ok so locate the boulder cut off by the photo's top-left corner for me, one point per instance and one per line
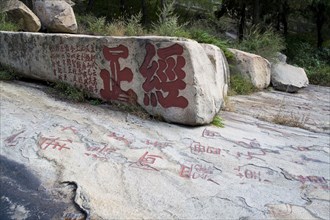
(19, 10)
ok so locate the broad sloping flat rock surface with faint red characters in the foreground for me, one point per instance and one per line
(96, 163)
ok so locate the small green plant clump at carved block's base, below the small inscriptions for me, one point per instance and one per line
(69, 92)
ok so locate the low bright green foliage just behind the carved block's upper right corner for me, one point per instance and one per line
(204, 37)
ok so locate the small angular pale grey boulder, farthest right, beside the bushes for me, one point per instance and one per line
(288, 78)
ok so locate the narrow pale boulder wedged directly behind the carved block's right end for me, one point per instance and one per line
(221, 68)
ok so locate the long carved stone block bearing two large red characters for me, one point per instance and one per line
(166, 76)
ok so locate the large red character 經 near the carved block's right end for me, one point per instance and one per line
(164, 77)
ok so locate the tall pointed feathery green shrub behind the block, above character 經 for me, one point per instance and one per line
(168, 23)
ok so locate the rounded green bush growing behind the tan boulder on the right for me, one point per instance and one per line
(265, 43)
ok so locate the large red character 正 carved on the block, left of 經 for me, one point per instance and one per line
(111, 81)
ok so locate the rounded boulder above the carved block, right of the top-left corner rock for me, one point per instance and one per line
(56, 16)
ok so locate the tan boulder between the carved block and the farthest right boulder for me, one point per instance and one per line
(253, 67)
